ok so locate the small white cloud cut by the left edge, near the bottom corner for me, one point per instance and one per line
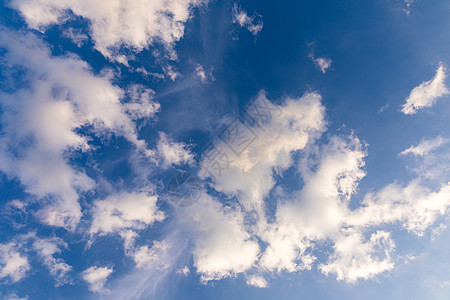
(13, 264)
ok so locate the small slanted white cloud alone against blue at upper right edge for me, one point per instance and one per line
(427, 93)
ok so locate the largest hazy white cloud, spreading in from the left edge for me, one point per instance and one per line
(39, 121)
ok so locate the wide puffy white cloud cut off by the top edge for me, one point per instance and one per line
(116, 23)
